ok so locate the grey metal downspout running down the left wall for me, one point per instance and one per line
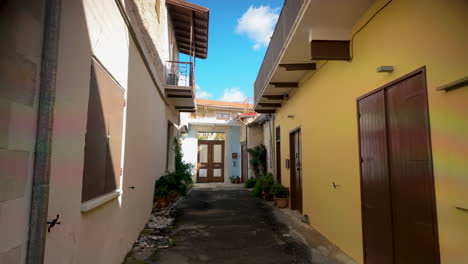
(45, 121)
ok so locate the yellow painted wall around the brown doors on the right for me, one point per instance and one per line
(407, 34)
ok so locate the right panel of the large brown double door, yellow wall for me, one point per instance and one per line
(411, 173)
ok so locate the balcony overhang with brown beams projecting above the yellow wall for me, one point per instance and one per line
(322, 30)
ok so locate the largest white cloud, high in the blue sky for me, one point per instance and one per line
(259, 24)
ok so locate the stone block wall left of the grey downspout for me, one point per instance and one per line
(21, 27)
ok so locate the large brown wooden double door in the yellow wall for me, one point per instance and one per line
(397, 186)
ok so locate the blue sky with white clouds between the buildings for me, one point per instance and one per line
(238, 38)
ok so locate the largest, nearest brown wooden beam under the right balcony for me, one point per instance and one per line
(330, 49)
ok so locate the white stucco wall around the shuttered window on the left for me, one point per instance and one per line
(105, 234)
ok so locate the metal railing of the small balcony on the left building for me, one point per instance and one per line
(179, 73)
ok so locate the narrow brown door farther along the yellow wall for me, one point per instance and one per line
(296, 170)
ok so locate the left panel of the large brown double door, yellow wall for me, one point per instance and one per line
(375, 188)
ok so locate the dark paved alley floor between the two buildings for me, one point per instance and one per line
(216, 224)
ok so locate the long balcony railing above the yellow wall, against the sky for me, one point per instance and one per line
(288, 16)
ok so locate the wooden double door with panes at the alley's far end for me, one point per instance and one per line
(210, 161)
